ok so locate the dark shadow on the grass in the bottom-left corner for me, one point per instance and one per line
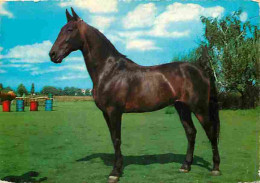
(27, 177)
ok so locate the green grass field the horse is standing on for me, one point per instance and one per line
(72, 145)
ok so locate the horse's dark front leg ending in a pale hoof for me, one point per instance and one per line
(113, 119)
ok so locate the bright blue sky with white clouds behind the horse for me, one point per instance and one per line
(148, 32)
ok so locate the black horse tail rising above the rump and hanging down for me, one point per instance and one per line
(213, 106)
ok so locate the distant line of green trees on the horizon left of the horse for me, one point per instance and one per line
(69, 91)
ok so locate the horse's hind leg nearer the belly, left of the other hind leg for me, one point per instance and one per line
(186, 120)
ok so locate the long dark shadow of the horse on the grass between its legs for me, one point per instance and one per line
(148, 159)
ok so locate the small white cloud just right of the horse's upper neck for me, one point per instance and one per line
(102, 22)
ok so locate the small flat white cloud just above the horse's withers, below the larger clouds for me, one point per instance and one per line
(141, 45)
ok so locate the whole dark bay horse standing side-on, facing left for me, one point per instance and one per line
(122, 86)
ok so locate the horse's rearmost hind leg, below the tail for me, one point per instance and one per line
(209, 125)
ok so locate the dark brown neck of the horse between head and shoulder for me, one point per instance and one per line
(96, 54)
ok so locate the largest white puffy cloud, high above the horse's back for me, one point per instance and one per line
(163, 25)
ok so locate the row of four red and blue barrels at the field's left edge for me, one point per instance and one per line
(20, 105)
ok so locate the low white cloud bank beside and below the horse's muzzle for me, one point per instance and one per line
(30, 57)
